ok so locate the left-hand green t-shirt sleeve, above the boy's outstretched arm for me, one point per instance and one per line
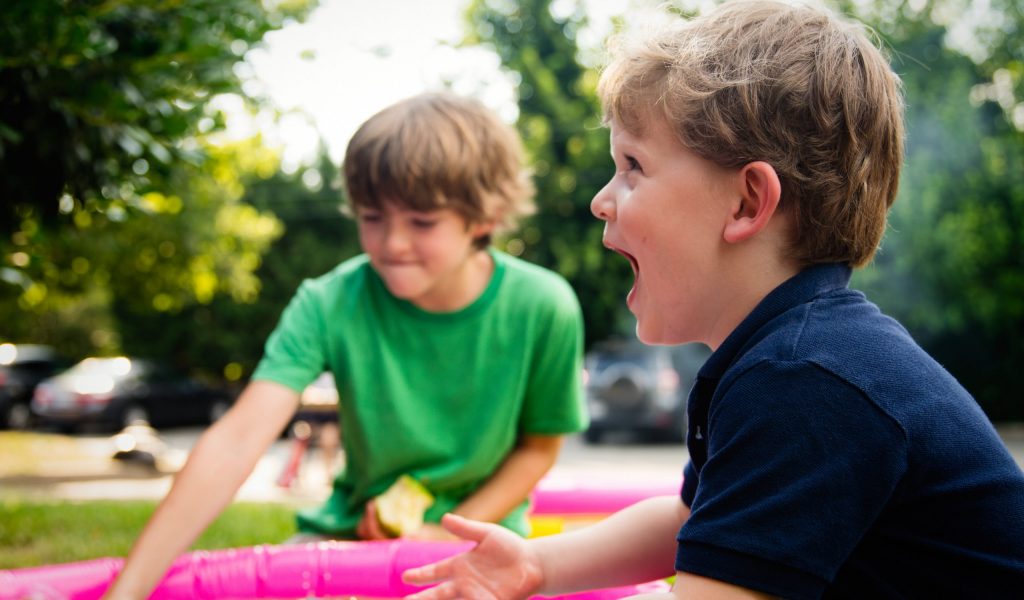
(294, 355)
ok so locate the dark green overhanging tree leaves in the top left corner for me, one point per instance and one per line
(97, 99)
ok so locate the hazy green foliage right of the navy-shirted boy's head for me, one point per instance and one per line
(952, 266)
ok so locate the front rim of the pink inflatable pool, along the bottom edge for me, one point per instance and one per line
(310, 571)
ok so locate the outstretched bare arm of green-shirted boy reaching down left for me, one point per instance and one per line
(219, 465)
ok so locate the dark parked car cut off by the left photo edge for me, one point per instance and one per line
(22, 368)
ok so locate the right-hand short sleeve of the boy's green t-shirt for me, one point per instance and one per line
(554, 402)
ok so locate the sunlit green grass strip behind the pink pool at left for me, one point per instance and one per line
(37, 533)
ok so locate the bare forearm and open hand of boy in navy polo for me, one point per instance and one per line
(635, 545)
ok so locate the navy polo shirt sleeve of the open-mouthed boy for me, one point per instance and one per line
(800, 463)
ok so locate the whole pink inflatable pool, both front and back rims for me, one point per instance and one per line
(329, 569)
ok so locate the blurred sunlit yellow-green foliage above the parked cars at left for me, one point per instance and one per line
(150, 264)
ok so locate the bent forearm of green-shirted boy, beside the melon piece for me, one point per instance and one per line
(515, 481)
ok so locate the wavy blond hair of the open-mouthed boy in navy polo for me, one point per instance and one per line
(793, 87)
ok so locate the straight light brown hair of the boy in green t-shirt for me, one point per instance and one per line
(438, 151)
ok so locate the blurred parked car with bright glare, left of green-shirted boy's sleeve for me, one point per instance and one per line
(121, 392)
